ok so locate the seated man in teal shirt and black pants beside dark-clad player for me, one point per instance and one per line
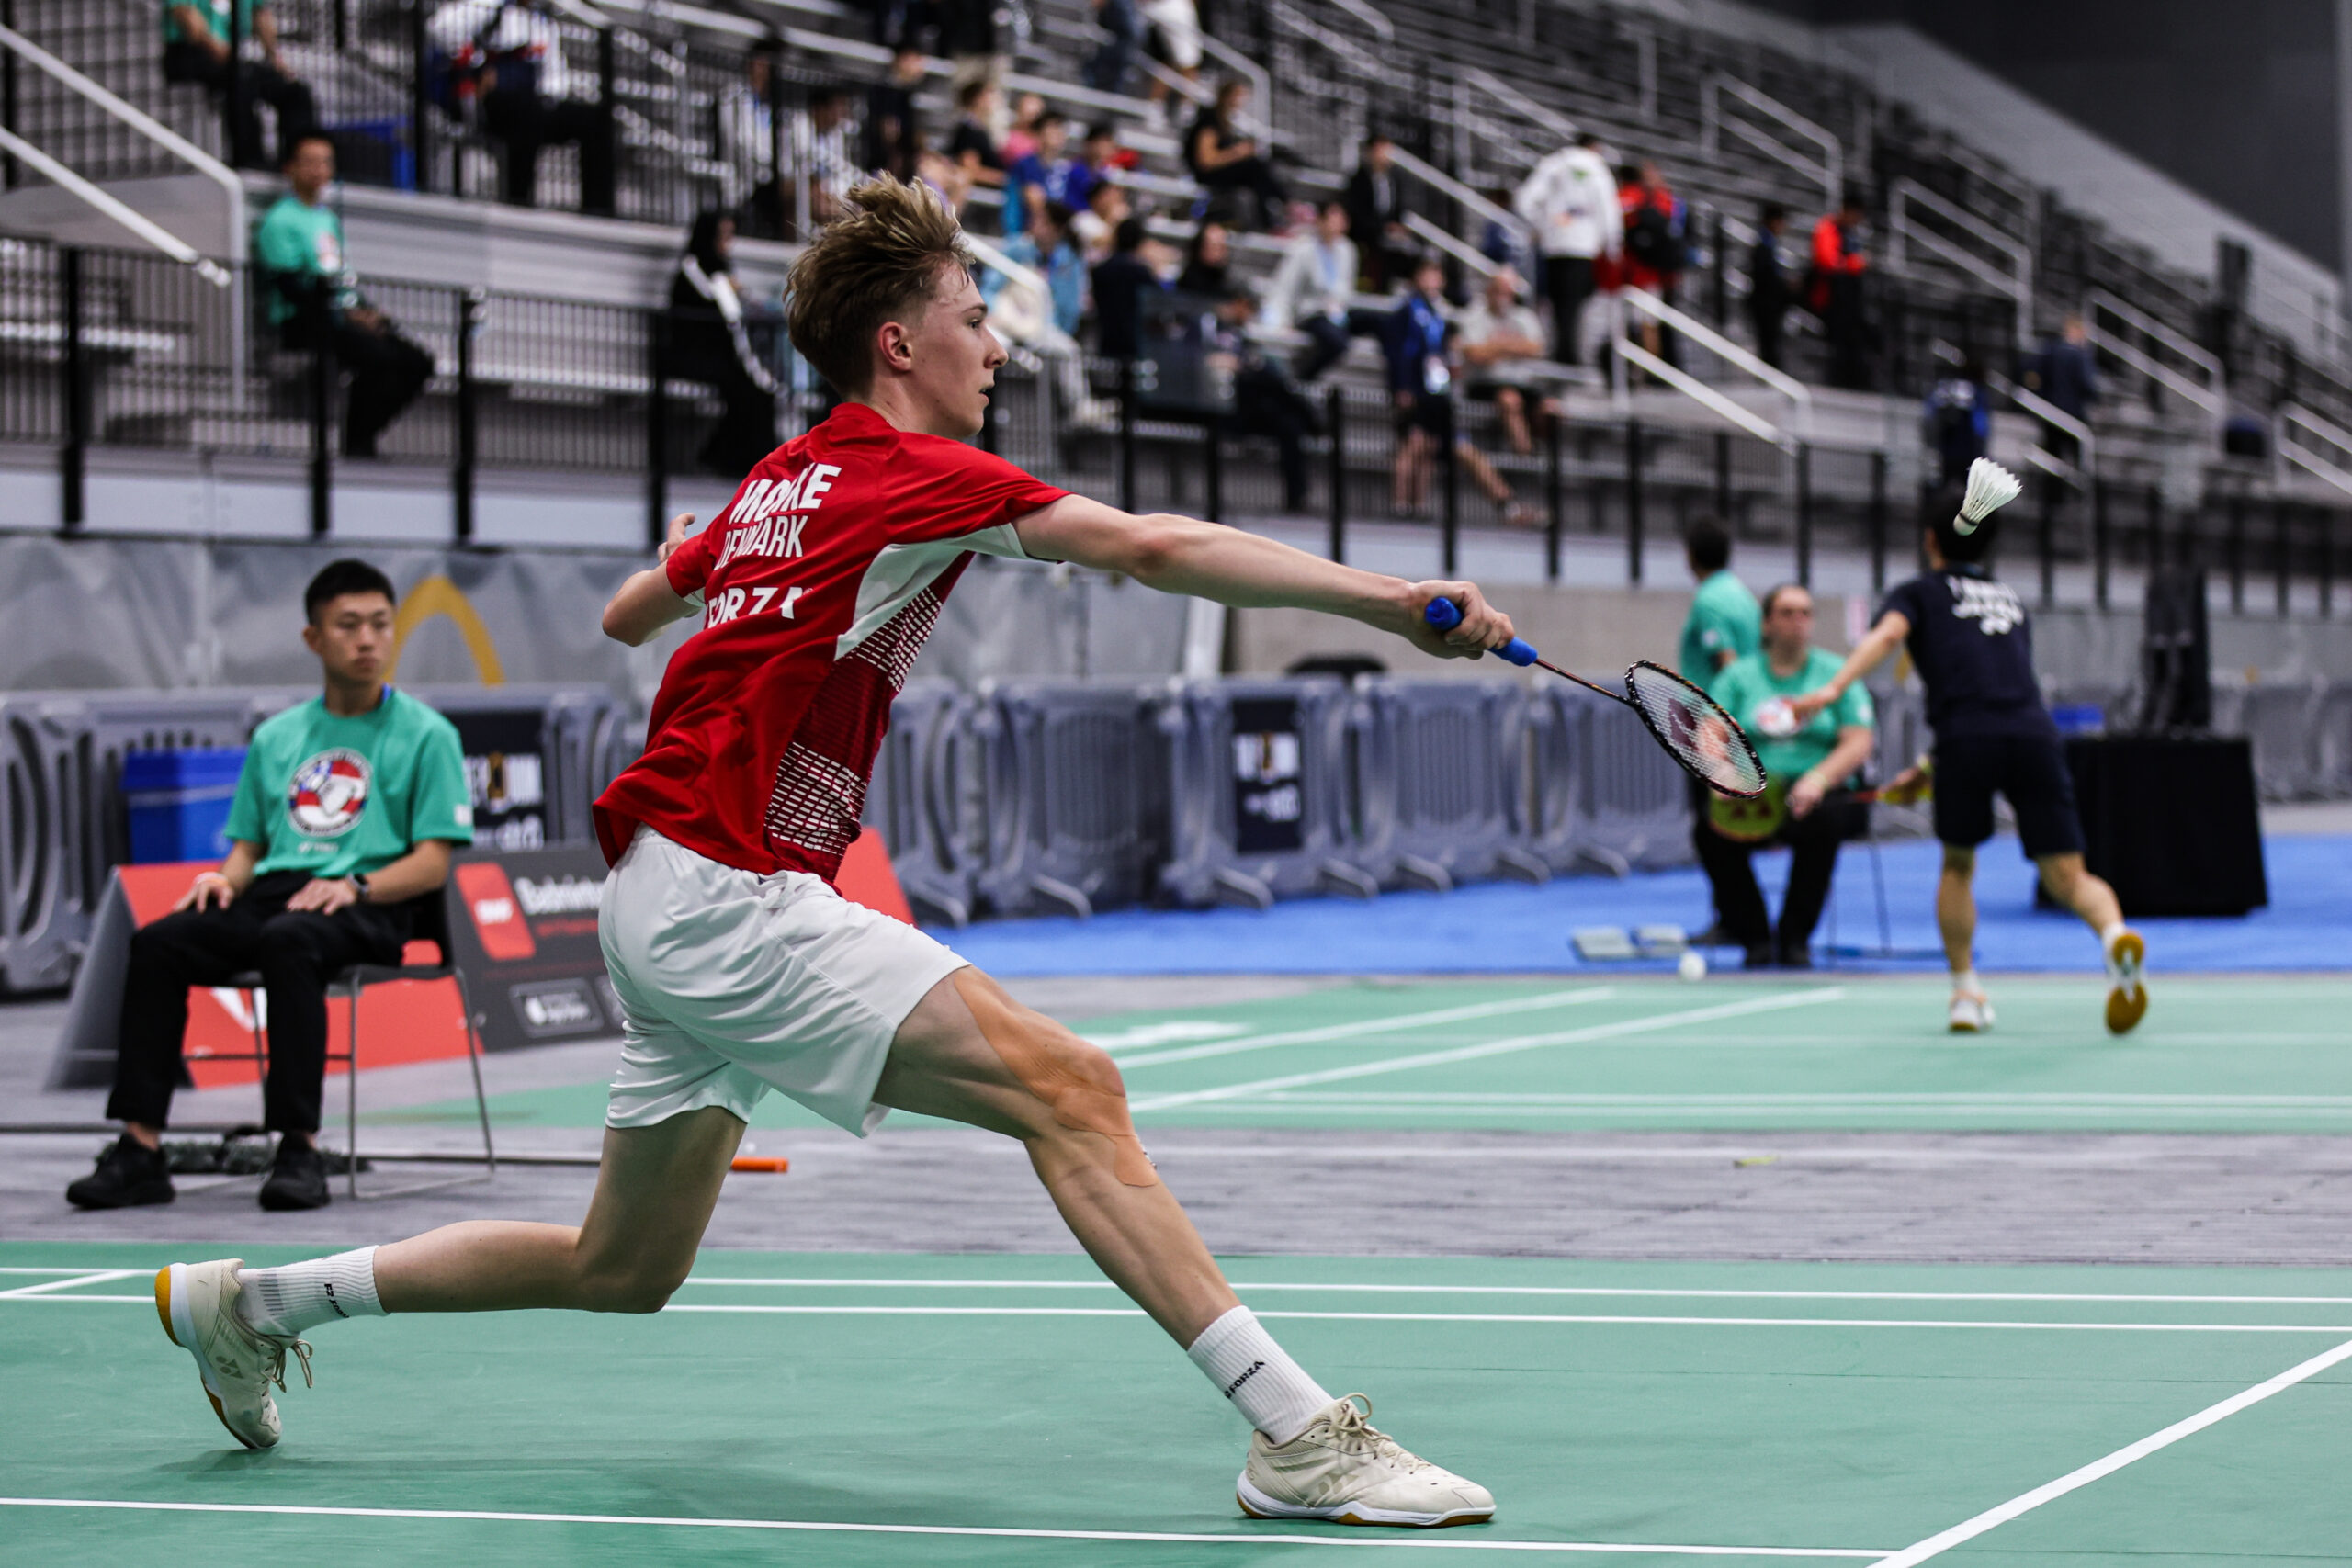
(1808, 805)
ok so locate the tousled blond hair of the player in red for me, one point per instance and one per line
(888, 257)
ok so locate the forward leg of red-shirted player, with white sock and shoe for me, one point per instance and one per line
(973, 1054)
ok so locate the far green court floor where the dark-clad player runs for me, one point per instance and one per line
(1824, 1052)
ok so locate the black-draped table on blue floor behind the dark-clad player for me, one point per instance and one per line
(2172, 822)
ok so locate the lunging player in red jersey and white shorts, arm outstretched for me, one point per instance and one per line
(742, 972)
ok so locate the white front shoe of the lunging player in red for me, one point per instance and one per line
(1347, 1470)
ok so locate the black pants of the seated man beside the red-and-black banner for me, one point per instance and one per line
(295, 958)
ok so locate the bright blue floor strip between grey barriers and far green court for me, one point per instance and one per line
(1509, 927)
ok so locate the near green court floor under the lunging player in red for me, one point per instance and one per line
(987, 1409)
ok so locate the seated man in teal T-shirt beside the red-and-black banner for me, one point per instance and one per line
(347, 810)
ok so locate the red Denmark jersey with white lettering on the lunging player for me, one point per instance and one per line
(820, 584)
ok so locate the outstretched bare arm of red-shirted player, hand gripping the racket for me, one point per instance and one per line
(1234, 568)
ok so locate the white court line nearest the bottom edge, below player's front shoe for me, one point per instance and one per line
(1417, 1541)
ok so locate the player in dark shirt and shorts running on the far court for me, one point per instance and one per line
(1972, 645)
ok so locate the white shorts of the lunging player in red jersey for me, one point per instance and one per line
(737, 984)
